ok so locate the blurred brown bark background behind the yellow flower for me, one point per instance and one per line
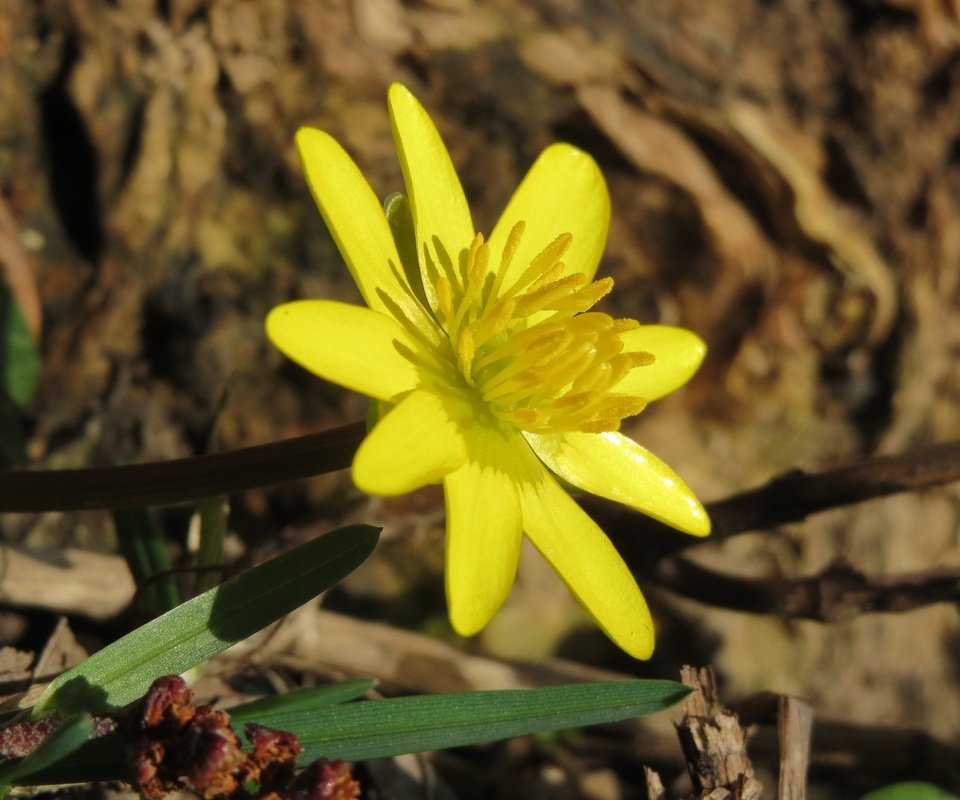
(785, 181)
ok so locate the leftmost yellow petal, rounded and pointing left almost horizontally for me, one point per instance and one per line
(342, 343)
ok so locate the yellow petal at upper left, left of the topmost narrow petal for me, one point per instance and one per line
(357, 222)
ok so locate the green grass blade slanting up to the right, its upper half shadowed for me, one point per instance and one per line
(207, 624)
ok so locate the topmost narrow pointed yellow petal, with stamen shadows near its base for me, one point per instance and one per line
(441, 215)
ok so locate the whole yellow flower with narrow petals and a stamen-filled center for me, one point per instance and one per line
(497, 377)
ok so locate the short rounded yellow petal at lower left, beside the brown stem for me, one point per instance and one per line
(415, 444)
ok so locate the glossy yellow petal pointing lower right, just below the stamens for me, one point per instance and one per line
(611, 465)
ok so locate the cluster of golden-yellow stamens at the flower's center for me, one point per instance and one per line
(533, 351)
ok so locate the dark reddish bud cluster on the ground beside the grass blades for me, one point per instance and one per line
(182, 745)
